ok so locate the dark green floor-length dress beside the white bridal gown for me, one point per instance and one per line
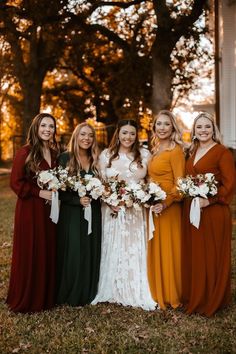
(78, 254)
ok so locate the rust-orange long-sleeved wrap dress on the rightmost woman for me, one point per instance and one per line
(206, 252)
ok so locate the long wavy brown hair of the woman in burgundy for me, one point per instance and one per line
(35, 156)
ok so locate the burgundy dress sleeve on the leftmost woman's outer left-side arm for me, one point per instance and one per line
(22, 185)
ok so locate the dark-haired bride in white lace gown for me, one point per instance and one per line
(123, 270)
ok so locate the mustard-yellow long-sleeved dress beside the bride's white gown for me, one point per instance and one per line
(164, 250)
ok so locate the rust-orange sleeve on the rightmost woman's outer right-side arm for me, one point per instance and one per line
(227, 179)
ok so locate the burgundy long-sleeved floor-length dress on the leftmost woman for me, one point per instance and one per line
(32, 279)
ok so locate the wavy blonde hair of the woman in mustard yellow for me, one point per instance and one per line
(175, 137)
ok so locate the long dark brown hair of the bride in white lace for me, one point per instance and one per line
(114, 146)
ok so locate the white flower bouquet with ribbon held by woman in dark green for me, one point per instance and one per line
(86, 186)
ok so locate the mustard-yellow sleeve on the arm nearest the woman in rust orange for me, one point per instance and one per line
(177, 162)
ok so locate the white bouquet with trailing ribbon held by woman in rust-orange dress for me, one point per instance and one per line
(199, 186)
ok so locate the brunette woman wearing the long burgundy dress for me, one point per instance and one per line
(32, 279)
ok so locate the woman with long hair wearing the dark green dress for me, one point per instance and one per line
(78, 254)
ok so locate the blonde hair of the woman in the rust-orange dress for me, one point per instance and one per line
(216, 133)
